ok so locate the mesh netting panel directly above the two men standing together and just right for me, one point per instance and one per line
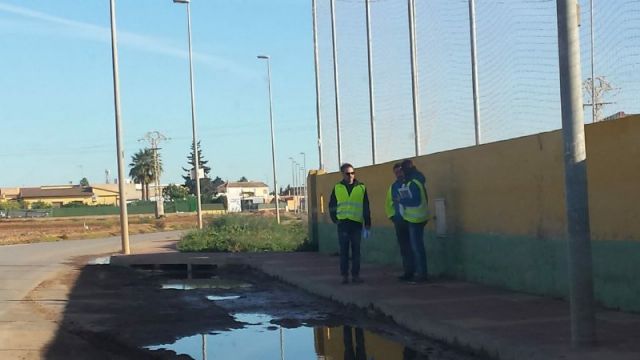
(444, 61)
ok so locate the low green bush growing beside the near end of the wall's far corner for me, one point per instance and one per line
(237, 233)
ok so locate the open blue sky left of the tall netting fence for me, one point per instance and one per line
(56, 103)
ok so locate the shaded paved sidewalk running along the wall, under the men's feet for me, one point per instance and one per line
(502, 324)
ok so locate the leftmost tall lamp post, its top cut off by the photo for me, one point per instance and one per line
(124, 219)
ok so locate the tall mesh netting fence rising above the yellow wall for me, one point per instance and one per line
(518, 77)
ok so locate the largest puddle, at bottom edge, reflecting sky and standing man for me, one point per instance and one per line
(260, 339)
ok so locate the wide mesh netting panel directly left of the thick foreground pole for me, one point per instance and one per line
(518, 68)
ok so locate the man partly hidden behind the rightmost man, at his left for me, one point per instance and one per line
(394, 212)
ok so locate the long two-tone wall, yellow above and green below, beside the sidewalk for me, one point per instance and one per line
(506, 212)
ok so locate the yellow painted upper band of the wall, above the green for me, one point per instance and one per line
(516, 187)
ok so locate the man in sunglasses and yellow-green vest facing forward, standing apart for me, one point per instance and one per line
(349, 209)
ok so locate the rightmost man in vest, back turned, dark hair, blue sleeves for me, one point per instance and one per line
(413, 199)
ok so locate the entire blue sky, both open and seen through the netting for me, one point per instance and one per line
(56, 103)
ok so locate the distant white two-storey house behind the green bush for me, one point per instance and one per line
(240, 195)
